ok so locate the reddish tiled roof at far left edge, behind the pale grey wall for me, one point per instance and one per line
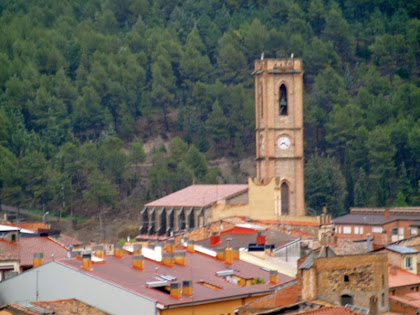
(25, 248)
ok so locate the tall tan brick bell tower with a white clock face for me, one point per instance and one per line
(279, 131)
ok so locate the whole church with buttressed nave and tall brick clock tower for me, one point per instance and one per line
(277, 192)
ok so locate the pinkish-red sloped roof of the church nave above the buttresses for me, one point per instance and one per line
(199, 196)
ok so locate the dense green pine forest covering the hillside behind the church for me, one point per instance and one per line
(85, 83)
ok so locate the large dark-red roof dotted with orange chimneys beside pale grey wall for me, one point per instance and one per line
(199, 268)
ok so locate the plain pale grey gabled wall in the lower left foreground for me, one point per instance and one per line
(54, 281)
